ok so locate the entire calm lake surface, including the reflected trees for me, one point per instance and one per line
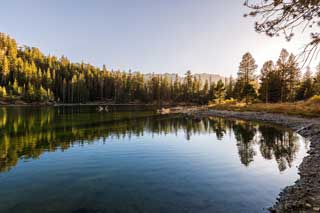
(75, 159)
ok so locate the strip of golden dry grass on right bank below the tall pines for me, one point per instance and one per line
(310, 108)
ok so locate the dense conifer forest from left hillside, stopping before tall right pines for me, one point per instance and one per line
(27, 73)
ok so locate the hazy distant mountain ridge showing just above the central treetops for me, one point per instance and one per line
(211, 78)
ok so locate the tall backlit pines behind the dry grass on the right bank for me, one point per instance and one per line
(280, 81)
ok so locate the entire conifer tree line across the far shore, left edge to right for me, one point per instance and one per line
(26, 73)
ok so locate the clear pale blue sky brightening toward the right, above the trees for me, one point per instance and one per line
(145, 35)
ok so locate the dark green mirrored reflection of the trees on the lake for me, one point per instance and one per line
(27, 133)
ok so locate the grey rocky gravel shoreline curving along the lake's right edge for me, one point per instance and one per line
(304, 195)
